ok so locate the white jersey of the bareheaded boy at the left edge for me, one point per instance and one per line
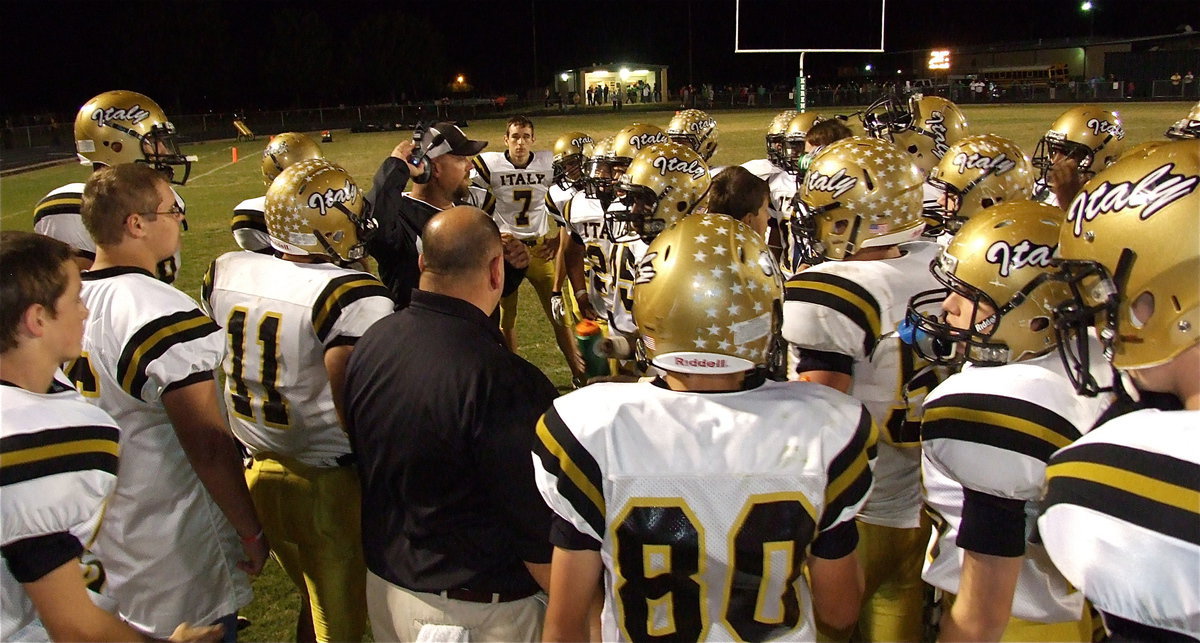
(59, 467)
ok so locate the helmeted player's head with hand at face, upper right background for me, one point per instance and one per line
(1082, 142)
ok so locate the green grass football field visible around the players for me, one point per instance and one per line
(218, 185)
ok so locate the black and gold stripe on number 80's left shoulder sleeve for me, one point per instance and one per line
(578, 473)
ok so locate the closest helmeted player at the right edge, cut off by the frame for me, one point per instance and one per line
(1120, 513)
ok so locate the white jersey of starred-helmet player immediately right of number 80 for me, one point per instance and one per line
(854, 309)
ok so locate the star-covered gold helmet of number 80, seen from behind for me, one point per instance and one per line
(709, 298)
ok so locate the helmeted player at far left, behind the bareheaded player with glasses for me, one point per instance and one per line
(111, 129)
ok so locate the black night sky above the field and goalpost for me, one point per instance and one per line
(199, 56)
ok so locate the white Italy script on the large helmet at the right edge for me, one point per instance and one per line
(1153, 193)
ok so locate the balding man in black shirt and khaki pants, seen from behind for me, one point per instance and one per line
(442, 419)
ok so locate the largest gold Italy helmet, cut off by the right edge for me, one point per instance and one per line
(1130, 255)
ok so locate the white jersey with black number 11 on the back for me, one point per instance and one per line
(280, 319)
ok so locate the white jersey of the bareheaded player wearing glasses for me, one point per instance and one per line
(170, 554)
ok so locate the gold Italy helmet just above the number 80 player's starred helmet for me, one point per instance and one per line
(665, 183)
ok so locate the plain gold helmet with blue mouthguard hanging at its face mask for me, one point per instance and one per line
(1001, 260)
